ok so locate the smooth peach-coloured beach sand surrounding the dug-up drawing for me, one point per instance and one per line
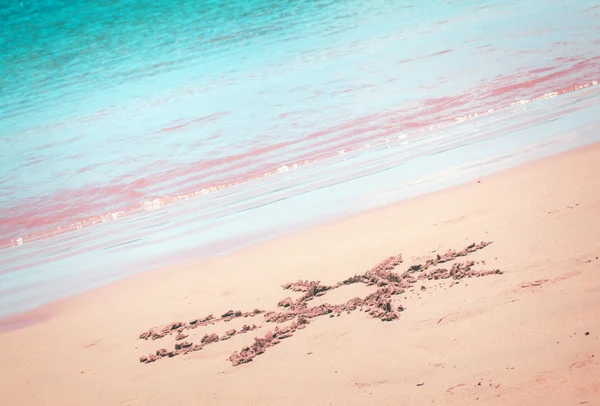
(529, 335)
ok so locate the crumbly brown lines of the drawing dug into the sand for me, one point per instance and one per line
(377, 304)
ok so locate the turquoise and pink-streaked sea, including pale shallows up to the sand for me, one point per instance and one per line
(139, 133)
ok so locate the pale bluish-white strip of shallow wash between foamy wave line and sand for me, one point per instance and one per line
(208, 227)
